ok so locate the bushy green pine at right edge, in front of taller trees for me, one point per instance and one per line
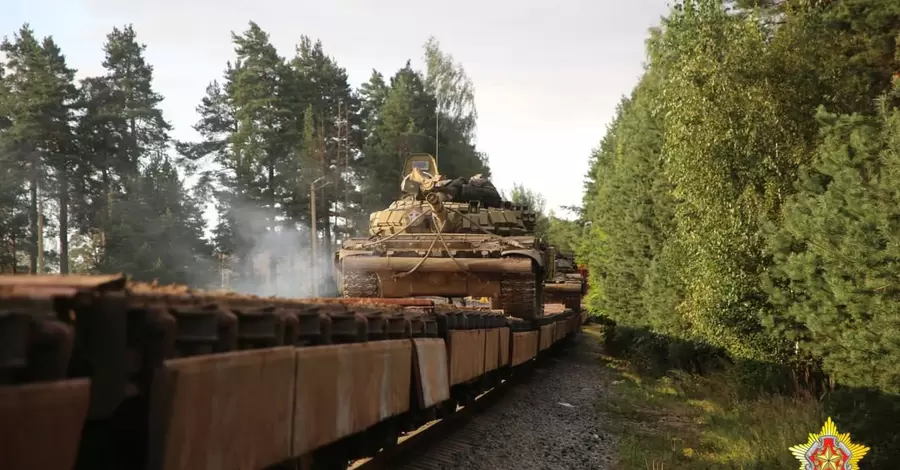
(837, 253)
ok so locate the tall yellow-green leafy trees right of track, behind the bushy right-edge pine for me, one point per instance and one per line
(706, 151)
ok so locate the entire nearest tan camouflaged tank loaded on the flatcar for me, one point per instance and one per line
(447, 238)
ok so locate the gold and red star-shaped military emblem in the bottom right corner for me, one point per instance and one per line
(829, 450)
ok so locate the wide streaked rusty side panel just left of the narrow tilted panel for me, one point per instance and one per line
(345, 389)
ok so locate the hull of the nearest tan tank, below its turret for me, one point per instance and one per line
(506, 269)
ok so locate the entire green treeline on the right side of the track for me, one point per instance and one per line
(746, 195)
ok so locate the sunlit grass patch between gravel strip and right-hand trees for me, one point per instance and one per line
(684, 421)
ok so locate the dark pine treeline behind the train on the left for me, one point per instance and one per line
(92, 181)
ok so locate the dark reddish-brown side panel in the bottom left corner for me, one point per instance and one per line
(40, 424)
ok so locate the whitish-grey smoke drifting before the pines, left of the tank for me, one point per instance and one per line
(274, 257)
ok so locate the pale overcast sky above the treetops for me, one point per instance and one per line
(548, 75)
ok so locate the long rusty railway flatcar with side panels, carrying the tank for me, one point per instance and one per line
(100, 373)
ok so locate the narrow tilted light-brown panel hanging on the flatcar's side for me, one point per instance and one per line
(431, 373)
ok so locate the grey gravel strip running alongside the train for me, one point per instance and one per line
(548, 422)
